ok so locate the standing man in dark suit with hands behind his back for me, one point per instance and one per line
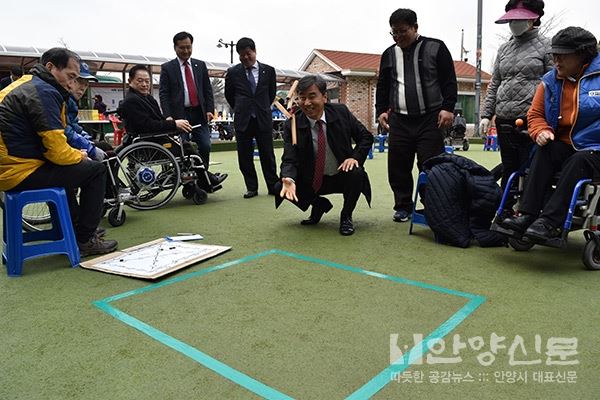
(250, 90)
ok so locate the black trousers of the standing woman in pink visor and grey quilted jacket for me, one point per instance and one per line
(515, 147)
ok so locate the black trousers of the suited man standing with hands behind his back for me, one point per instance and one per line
(245, 149)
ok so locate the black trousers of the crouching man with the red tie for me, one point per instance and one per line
(349, 184)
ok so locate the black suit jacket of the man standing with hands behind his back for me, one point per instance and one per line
(239, 96)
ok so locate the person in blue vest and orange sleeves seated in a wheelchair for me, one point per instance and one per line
(564, 121)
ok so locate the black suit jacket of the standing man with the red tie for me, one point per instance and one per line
(171, 88)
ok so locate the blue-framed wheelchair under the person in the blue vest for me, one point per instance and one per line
(583, 213)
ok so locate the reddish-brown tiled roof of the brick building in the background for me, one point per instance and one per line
(346, 60)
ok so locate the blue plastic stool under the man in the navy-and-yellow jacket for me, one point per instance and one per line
(60, 239)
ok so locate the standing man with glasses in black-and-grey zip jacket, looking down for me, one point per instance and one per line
(416, 94)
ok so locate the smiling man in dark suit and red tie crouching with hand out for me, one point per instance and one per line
(323, 161)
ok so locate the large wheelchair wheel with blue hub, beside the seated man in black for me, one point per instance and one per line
(153, 173)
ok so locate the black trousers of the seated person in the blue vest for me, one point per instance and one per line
(548, 160)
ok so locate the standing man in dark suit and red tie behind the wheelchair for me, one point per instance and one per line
(185, 93)
